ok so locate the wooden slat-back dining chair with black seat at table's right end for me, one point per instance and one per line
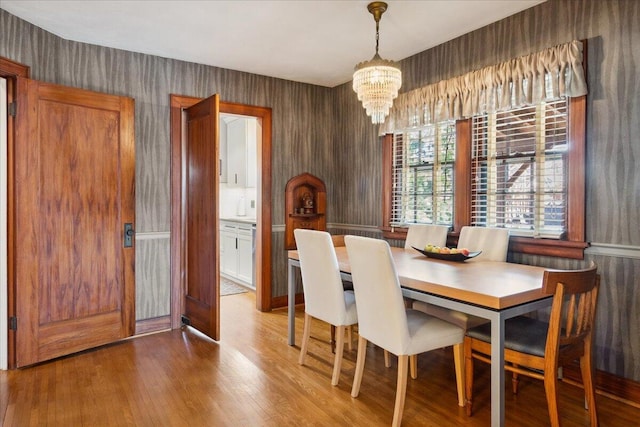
(538, 348)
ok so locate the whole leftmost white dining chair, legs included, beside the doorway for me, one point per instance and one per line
(324, 296)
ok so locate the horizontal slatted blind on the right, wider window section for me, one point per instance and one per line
(519, 170)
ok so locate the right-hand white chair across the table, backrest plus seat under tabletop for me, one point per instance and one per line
(494, 243)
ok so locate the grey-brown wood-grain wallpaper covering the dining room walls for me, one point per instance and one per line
(326, 132)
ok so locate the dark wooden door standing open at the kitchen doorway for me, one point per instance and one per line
(201, 219)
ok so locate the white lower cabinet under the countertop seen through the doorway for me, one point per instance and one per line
(236, 251)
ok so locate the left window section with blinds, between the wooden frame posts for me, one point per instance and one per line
(423, 162)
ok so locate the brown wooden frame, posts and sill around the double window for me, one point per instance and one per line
(573, 244)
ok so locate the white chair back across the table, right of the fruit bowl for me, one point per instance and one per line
(493, 242)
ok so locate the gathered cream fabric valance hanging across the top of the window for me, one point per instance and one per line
(527, 80)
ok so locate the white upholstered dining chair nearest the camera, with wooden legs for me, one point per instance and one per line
(384, 321)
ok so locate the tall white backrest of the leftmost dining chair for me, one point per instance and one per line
(322, 286)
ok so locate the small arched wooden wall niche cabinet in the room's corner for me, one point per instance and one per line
(305, 206)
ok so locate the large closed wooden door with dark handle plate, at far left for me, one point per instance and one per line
(73, 191)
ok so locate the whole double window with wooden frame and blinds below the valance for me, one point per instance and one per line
(521, 169)
